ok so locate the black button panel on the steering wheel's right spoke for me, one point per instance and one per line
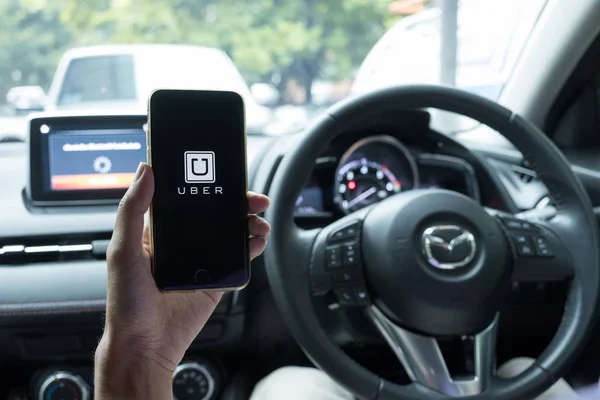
(539, 253)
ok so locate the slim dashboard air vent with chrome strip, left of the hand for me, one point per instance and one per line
(33, 250)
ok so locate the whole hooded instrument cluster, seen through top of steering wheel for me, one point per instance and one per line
(375, 168)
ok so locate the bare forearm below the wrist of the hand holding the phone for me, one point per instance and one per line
(122, 372)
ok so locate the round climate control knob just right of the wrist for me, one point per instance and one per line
(192, 381)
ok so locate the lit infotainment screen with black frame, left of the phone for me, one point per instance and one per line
(79, 160)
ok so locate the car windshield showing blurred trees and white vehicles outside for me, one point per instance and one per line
(289, 60)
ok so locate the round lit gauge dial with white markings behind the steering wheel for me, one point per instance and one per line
(363, 182)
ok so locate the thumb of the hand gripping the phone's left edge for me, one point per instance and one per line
(126, 242)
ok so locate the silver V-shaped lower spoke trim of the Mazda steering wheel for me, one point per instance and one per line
(424, 363)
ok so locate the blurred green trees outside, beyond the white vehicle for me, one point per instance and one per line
(269, 40)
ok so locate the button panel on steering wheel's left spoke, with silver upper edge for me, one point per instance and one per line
(336, 263)
